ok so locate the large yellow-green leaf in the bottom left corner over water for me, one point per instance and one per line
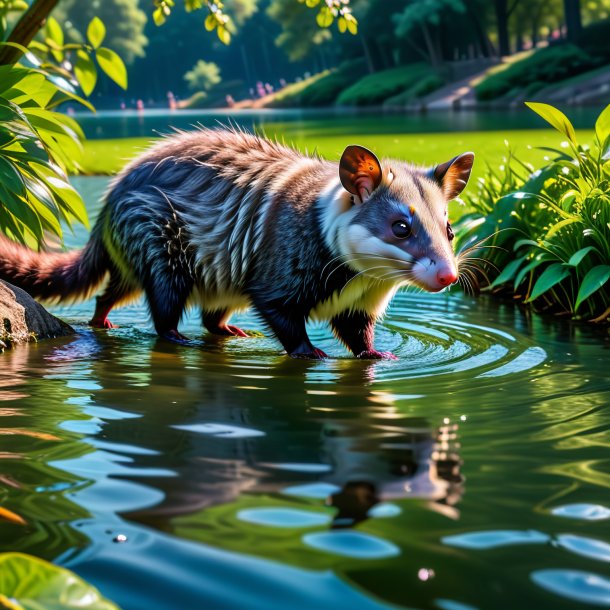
(34, 583)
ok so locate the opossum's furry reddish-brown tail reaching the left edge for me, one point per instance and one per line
(49, 276)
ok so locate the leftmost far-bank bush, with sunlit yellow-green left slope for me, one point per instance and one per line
(321, 89)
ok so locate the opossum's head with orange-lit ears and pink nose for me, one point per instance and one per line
(397, 228)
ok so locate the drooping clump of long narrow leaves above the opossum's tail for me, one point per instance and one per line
(37, 148)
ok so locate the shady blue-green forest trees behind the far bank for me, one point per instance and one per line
(279, 41)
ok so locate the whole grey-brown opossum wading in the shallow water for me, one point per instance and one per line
(224, 219)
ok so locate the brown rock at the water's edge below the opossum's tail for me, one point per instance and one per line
(22, 319)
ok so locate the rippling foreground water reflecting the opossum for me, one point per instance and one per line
(472, 473)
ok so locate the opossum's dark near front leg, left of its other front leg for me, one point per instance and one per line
(289, 328)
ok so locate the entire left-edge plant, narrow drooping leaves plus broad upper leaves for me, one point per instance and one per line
(39, 146)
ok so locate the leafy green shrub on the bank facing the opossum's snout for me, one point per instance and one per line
(546, 233)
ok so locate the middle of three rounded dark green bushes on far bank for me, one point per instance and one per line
(376, 88)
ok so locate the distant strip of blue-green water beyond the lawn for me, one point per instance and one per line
(131, 123)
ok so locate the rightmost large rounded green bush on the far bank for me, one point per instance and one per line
(543, 67)
